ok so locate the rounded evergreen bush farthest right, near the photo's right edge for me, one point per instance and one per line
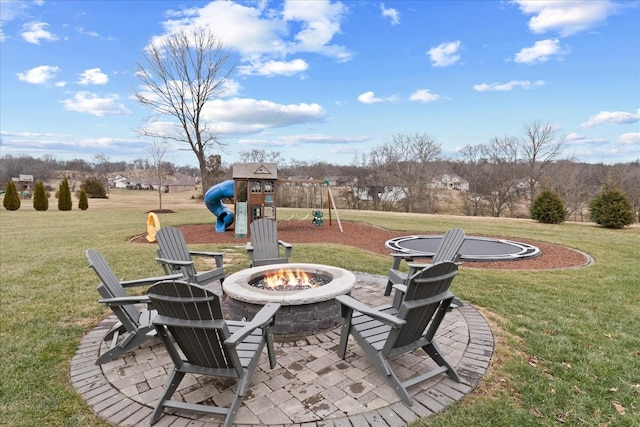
(611, 208)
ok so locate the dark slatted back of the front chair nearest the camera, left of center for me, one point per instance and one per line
(196, 324)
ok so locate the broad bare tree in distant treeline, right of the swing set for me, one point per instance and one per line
(407, 158)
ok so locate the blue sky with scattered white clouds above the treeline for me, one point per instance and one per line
(326, 80)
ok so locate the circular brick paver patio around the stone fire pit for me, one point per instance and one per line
(310, 386)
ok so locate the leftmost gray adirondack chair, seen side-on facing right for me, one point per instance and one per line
(134, 324)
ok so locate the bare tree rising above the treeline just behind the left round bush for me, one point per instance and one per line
(540, 146)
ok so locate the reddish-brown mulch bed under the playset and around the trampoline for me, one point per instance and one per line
(372, 238)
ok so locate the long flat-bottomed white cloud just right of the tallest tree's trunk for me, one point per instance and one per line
(245, 116)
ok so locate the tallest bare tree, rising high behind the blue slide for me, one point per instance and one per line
(180, 74)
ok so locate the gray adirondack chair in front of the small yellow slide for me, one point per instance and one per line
(175, 257)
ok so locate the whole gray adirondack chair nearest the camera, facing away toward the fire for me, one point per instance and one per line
(200, 341)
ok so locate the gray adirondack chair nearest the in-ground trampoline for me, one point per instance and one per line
(447, 250)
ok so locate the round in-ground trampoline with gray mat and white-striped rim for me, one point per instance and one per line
(473, 249)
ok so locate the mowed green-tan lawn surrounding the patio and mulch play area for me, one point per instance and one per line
(568, 342)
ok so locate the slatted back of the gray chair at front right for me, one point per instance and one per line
(416, 308)
